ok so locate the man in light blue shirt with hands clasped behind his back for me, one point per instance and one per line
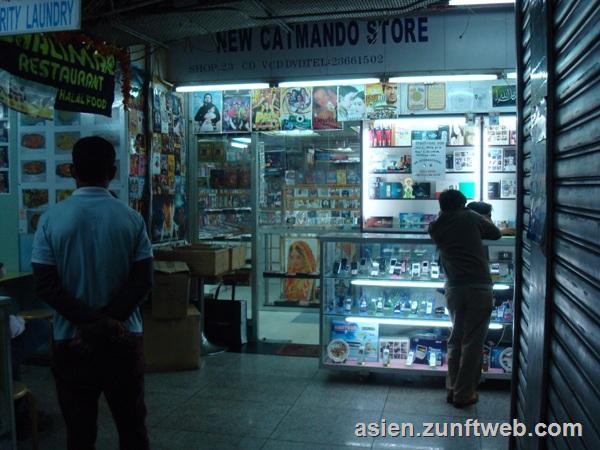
(92, 263)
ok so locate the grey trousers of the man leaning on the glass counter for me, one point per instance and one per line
(470, 309)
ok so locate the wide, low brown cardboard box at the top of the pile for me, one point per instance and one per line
(201, 259)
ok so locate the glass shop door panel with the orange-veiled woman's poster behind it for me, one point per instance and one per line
(308, 182)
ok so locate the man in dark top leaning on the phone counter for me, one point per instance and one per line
(457, 233)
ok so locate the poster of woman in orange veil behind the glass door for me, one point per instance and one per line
(301, 258)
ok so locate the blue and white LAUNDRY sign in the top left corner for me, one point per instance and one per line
(36, 16)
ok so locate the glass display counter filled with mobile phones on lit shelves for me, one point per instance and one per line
(383, 307)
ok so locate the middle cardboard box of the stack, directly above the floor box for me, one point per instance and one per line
(171, 290)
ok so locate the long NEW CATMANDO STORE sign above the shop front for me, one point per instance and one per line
(347, 48)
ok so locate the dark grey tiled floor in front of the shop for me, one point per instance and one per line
(253, 401)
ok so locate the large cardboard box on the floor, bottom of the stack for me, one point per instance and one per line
(171, 345)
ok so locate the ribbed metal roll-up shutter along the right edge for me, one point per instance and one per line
(574, 334)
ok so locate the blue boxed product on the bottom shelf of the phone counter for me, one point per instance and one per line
(355, 335)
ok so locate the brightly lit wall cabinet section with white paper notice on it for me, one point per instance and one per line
(402, 179)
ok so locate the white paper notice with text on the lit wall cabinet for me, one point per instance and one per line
(428, 159)
